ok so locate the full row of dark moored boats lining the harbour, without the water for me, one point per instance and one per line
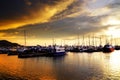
(55, 50)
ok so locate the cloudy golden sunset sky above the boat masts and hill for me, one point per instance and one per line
(44, 20)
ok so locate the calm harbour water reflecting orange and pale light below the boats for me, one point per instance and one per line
(73, 66)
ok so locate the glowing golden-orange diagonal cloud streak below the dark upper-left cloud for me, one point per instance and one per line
(39, 15)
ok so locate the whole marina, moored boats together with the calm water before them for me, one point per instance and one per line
(56, 62)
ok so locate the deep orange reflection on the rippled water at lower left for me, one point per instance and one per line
(30, 68)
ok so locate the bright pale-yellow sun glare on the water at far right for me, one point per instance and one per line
(111, 65)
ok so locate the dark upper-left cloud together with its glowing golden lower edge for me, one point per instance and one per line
(17, 13)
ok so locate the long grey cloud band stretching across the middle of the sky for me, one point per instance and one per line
(62, 28)
